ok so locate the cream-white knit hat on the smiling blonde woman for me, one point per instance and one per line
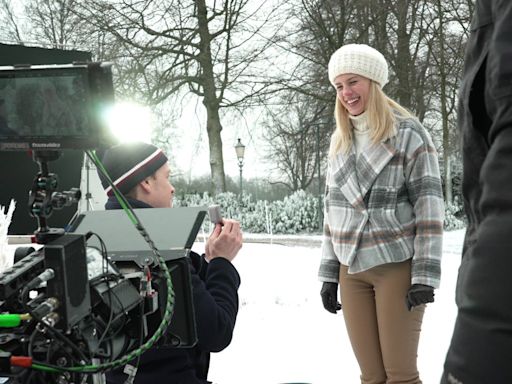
(359, 59)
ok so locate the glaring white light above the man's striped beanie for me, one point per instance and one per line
(129, 121)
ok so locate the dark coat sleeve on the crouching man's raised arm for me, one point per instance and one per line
(215, 294)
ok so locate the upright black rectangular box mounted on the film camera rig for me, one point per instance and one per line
(67, 257)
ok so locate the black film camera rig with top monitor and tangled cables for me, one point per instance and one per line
(69, 310)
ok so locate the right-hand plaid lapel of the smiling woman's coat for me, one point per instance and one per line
(371, 162)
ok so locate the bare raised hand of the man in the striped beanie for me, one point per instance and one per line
(225, 240)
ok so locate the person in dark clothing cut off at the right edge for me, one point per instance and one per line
(481, 346)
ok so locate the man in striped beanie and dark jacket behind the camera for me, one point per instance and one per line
(141, 172)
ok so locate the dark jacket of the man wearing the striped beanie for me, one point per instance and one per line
(214, 290)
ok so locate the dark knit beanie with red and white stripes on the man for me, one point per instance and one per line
(128, 164)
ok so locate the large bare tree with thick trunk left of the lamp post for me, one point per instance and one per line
(211, 49)
